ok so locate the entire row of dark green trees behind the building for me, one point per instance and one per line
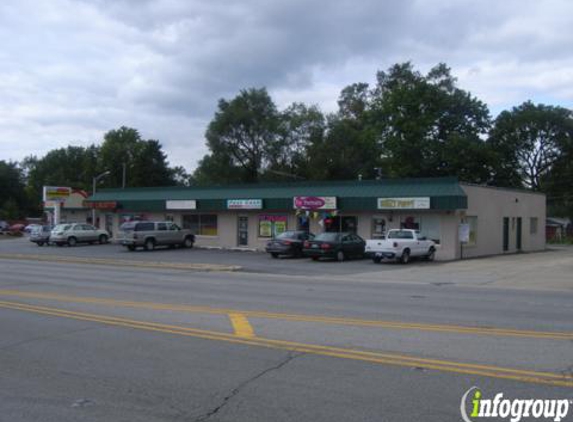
(408, 124)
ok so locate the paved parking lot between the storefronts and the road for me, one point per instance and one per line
(549, 270)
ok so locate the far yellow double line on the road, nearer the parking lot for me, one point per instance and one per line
(397, 325)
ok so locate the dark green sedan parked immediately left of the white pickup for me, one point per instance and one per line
(334, 245)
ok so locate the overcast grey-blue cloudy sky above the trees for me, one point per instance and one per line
(70, 70)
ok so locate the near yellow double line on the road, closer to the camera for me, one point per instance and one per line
(521, 375)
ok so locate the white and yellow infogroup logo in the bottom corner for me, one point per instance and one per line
(474, 407)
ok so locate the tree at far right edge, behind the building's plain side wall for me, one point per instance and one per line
(528, 142)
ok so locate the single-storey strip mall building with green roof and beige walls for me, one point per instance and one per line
(465, 220)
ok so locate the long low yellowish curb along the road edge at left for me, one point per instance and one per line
(125, 263)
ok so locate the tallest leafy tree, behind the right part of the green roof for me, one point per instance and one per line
(425, 124)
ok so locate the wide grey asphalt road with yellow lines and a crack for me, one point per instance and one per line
(97, 343)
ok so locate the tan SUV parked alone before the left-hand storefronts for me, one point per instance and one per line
(149, 234)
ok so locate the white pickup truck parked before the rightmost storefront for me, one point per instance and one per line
(400, 245)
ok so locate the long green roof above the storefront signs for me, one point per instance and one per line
(445, 193)
